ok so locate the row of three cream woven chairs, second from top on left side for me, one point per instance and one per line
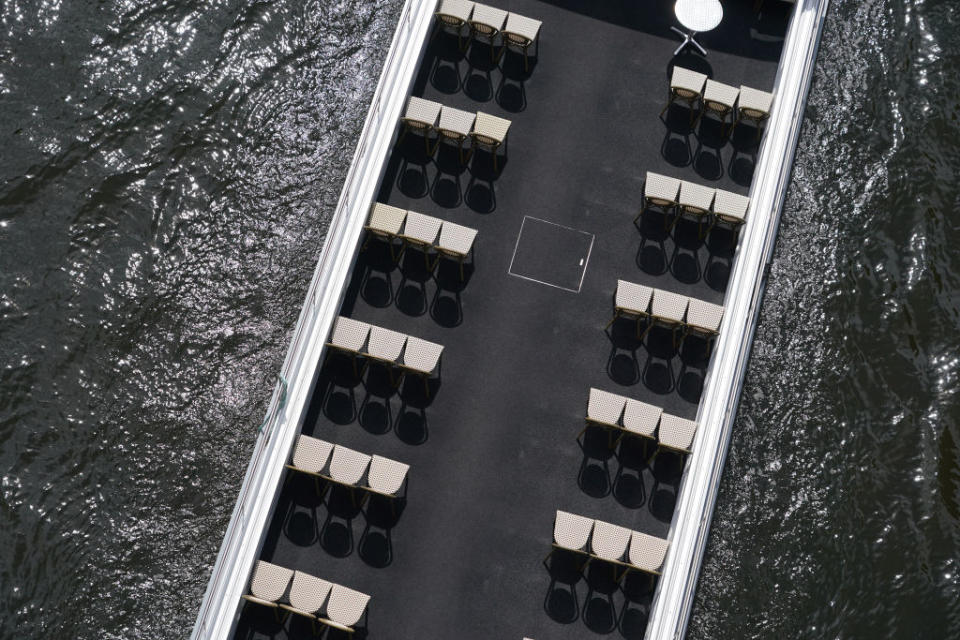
(432, 120)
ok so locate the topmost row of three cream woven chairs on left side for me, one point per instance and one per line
(488, 24)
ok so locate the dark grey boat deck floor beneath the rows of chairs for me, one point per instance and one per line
(493, 450)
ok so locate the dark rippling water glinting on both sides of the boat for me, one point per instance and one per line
(167, 175)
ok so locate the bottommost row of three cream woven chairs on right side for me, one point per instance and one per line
(599, 540)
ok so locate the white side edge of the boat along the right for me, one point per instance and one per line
(670, 611)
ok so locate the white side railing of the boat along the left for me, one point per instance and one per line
(291, 396)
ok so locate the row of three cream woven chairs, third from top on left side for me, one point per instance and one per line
(425, 233)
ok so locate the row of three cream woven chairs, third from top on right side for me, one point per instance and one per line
(674, 311)
